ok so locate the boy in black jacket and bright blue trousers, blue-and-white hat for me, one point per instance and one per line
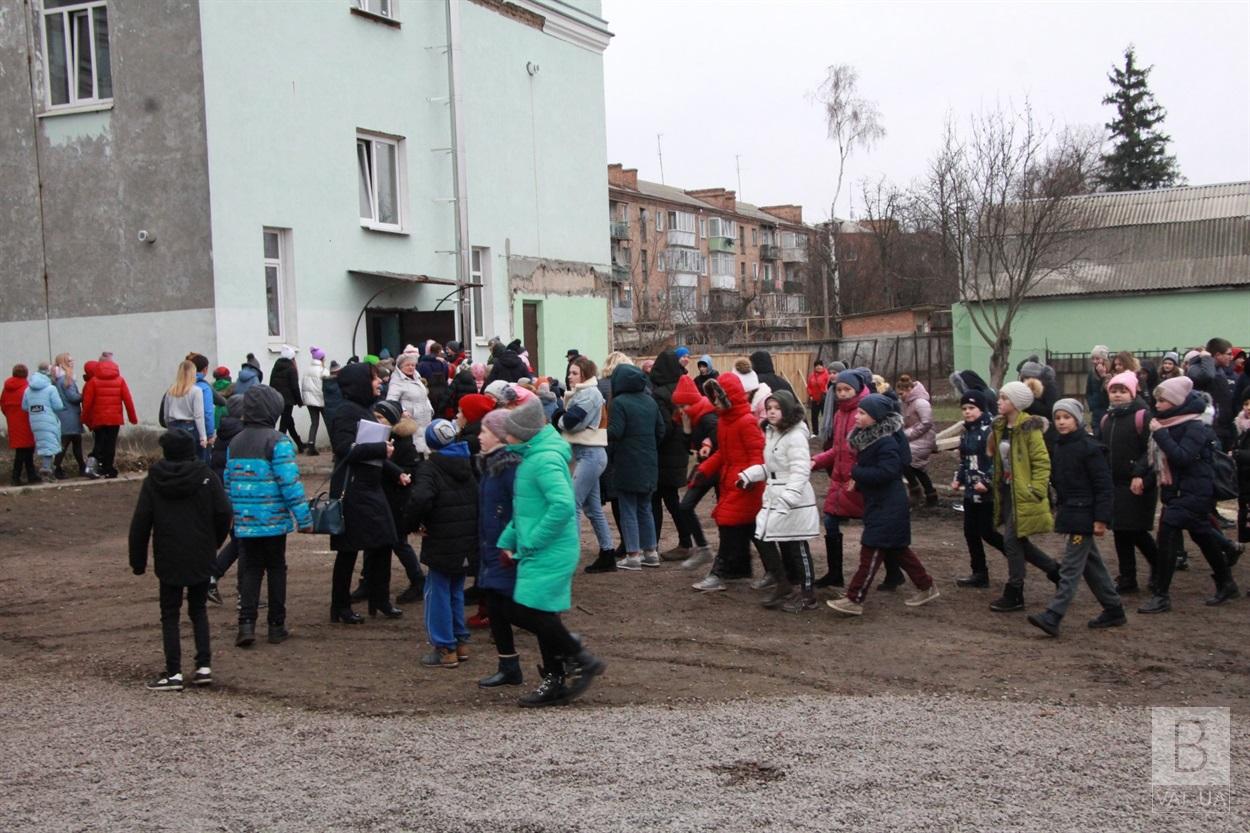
(444, 505)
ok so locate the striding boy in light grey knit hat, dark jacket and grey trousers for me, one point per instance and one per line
(1083, 482)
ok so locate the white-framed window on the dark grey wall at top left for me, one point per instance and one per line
(77, 47)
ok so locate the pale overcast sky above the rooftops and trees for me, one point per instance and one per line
(726, 78)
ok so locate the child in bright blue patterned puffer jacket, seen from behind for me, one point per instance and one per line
(264, 485)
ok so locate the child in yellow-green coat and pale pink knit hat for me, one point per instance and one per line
(1022, 483)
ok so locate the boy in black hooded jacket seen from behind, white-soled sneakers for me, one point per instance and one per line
(184, 511)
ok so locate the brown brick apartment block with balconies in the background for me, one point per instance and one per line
(682, 258)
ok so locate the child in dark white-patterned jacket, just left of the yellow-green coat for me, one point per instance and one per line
(976, 478)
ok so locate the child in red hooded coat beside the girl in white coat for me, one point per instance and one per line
(741, 446)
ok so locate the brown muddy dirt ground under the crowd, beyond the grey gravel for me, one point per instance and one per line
(71, 605)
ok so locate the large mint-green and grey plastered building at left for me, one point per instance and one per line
(353, 174)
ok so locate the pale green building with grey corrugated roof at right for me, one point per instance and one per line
(1163, 270)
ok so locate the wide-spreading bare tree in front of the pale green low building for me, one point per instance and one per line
(1004, 202)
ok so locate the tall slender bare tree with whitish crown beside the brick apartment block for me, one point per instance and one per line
(852, 123)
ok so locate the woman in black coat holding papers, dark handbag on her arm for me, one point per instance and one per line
(367, 516)
